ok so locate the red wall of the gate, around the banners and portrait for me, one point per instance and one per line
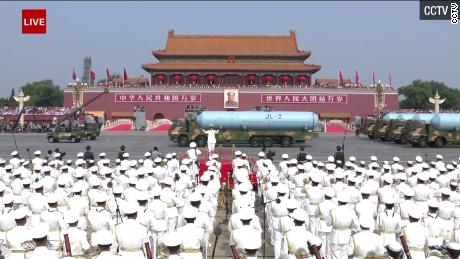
(358, 104)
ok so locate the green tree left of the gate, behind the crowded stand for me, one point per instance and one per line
(43, 93)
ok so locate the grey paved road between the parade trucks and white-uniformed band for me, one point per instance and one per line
(138, 142)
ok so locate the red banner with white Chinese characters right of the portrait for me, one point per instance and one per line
(304, 98)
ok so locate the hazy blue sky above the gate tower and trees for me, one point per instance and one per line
(385, 36)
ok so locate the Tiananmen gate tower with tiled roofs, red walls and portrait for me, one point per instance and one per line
(238, 72)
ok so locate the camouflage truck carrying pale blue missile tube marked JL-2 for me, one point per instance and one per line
(257, 128)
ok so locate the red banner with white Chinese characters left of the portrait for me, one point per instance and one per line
(159, 98)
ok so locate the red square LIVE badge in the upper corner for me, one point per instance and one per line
(34, 21)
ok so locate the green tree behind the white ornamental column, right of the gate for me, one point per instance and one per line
(416, 95)
